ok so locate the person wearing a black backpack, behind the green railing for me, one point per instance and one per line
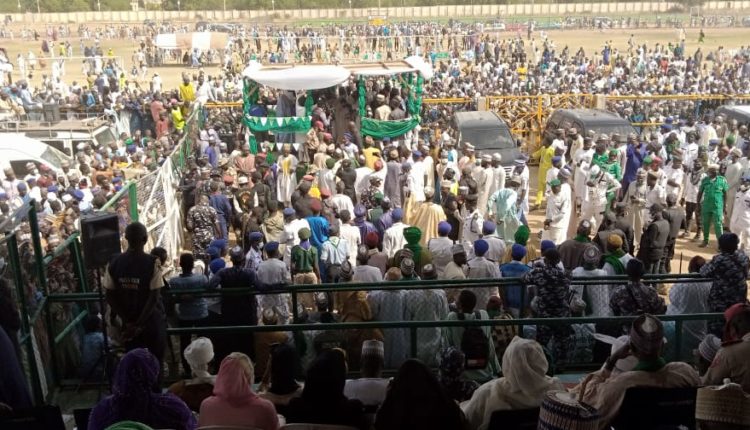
(454, 337)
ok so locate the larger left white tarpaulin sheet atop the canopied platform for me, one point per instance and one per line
(297, 78)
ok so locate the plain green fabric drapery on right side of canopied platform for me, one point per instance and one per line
(380, 129)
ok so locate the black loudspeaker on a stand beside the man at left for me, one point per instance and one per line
(100, 238)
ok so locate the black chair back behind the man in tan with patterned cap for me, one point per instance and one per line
(652, 408)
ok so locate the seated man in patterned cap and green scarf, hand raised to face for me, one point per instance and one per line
(605, 391)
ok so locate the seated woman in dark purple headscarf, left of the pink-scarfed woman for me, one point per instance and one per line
(133, 398)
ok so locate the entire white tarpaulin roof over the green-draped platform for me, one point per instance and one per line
(313, 77)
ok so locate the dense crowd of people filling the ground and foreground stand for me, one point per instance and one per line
(335, 206)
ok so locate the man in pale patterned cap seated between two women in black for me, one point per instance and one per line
(371, 387)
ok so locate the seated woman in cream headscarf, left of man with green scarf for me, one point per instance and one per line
(522, 386)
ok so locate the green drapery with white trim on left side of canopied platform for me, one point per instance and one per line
(290, 124)
